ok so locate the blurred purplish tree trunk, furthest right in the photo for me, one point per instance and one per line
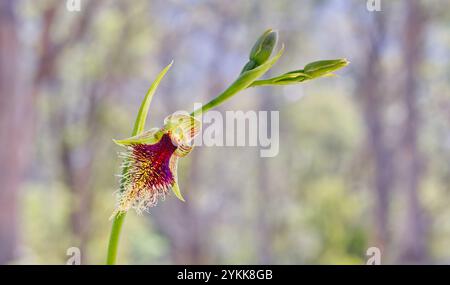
(413, 240)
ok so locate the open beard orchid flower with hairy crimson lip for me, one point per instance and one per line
(150, 162)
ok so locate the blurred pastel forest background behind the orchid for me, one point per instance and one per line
(364, 157)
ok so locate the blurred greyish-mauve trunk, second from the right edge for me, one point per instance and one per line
(372, 100)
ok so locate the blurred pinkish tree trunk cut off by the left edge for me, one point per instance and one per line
(13, 121)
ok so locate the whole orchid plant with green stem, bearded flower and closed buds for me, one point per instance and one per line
(149, 168)
